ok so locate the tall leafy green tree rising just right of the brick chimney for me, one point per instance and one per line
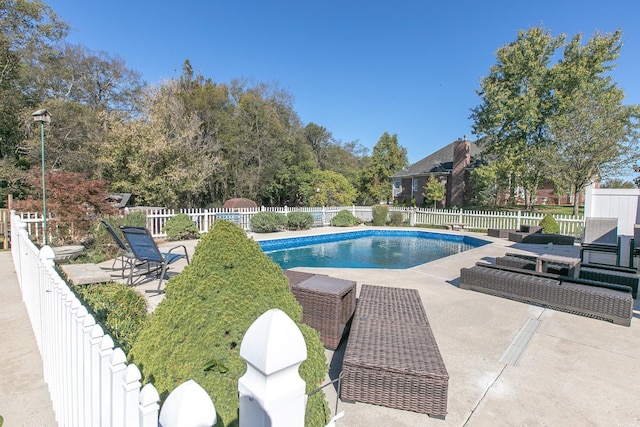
(517, 100)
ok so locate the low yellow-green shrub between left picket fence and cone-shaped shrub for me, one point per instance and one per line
(119, 309)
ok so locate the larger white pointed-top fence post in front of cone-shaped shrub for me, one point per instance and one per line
(271, 391)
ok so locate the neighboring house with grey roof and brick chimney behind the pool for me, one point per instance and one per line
(451, 165)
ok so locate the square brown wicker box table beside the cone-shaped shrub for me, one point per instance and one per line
(327, 304)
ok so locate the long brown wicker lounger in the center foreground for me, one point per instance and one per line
(392, 358)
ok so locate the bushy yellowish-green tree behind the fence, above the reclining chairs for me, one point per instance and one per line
(161, 157)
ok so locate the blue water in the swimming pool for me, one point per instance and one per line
(394, 249)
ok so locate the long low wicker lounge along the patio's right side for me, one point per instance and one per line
(605, 301)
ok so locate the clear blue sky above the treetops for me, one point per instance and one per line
(358, 68)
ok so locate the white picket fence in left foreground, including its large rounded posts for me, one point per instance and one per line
(91, 384)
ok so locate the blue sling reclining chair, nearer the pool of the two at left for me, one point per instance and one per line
(145, 250)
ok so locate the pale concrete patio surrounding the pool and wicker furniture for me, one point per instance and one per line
(574, 371)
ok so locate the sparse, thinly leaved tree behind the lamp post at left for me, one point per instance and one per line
(84, 92)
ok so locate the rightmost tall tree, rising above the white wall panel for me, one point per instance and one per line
(595, 135)
